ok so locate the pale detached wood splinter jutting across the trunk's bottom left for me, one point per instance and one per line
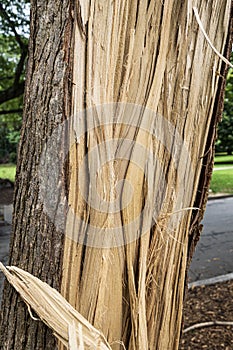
(68, 325)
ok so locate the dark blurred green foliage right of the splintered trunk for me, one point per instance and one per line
(225, 130)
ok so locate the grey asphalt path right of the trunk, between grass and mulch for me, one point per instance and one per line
(214, 252)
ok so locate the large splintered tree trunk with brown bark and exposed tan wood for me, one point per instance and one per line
(115, 159)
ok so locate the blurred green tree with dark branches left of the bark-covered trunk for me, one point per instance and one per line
(14, 32)
